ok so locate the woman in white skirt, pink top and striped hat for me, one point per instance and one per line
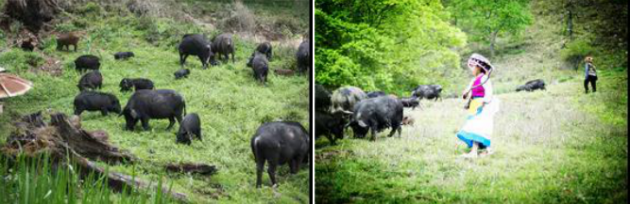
(482, 105)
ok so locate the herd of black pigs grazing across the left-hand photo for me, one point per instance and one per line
(275, 143)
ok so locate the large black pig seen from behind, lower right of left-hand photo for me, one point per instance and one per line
(278, 143)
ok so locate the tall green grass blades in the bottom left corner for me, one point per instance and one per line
(38, 180)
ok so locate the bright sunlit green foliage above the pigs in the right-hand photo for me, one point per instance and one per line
(384, 45)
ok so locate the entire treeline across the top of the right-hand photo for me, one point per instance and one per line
(395, 45)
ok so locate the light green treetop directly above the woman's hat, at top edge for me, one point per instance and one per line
(487, 19)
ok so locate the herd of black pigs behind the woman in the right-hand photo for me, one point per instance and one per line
(374, 111)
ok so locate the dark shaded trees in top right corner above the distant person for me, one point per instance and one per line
(591, 27)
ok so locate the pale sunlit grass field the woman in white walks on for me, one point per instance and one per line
(554, 146)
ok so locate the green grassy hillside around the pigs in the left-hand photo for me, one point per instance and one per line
(230, 103)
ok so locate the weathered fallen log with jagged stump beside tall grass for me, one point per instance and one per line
(67, 143)
